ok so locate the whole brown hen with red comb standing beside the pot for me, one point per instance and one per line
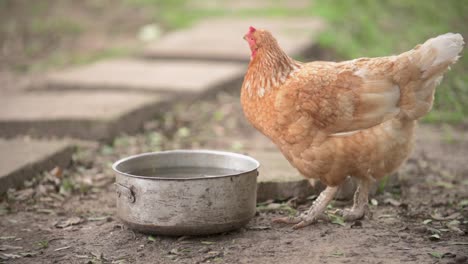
(354, 118)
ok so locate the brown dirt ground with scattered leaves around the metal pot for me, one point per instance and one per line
(69, 216)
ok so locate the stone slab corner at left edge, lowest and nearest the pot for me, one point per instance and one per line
(22, 159)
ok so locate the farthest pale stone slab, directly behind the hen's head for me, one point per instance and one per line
(221, 39)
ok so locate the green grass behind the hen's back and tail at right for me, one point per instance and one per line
(377, 28)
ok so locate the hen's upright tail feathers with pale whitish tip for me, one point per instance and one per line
(433, 58)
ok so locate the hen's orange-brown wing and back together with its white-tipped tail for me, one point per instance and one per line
(359, 94)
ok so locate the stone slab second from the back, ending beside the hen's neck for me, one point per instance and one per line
(162, 76)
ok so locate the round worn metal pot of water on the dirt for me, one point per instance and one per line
(186, 206)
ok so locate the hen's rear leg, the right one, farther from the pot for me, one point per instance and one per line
(360, 202)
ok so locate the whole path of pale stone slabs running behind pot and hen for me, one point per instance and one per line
(102, 100)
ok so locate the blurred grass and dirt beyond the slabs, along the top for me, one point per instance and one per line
(37, 36)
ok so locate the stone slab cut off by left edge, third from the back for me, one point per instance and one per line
(93, 115)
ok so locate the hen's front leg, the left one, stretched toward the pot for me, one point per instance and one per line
(314, 211)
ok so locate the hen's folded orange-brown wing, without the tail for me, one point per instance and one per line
(335, 98)
